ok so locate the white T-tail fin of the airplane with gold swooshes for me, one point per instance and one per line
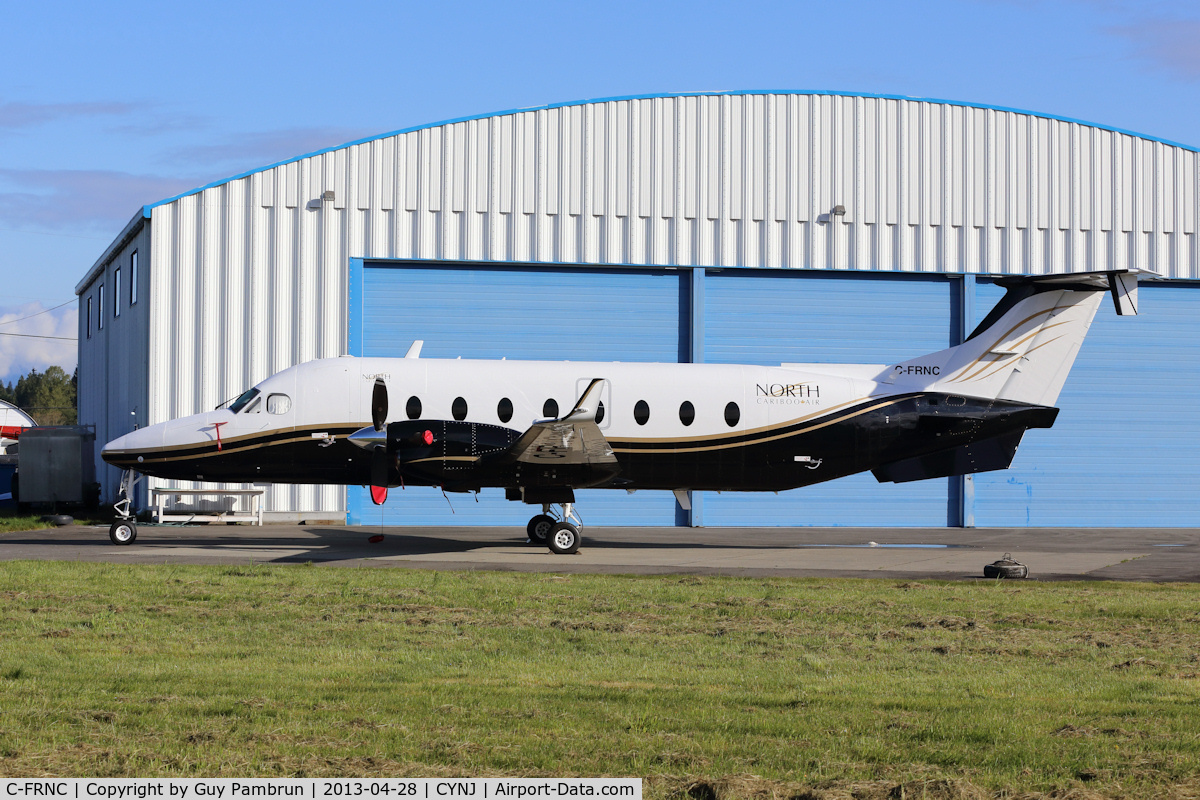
(1025, 347)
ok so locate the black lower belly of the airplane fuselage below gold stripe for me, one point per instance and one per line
(873, 435)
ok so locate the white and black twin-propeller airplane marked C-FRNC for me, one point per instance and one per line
(542, 430)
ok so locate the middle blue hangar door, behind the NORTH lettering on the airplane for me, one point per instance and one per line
(775, 317)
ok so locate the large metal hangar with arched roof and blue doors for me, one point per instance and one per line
(751, 227)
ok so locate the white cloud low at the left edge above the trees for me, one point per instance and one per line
(20, 354)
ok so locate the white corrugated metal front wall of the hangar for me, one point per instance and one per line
(253, 273)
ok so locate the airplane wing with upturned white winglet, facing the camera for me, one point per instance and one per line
(572, 440)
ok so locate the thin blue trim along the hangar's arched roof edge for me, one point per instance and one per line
(148, 209)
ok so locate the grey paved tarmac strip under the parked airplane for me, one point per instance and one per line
(908, 554)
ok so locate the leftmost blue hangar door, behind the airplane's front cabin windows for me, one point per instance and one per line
(515, 312)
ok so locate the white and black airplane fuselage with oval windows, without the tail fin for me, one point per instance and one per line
(670, 426)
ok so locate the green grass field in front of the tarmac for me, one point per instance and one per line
(716, 688)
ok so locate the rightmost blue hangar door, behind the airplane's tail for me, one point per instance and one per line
(1124, 449)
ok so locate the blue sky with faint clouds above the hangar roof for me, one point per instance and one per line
(106, 107)
